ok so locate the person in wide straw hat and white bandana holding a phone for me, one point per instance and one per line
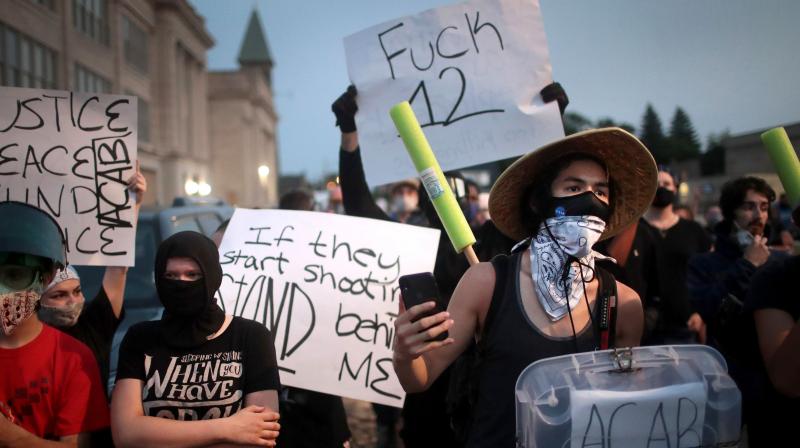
(540, 301)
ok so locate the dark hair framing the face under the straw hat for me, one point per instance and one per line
(538, 198)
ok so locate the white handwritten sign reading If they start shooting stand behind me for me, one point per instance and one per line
(326, 287)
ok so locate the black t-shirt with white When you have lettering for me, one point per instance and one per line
(206, 382)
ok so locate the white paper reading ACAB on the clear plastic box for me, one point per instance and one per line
(666, 416)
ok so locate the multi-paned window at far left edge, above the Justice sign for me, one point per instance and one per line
(25, 62)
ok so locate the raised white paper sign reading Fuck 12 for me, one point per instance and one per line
(472, 73)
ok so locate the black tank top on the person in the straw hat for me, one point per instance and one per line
(511, 345)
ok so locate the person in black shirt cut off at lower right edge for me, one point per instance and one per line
(772, 412)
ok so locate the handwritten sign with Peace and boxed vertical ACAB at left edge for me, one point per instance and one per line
(71, 154)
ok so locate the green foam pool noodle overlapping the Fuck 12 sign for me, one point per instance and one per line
(432, 177)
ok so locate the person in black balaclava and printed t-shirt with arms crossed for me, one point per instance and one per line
(196, 363)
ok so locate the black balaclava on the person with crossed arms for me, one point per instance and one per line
(191, 312)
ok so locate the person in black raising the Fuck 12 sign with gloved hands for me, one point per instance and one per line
(425, 416)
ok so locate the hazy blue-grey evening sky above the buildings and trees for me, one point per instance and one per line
(731, 64)
